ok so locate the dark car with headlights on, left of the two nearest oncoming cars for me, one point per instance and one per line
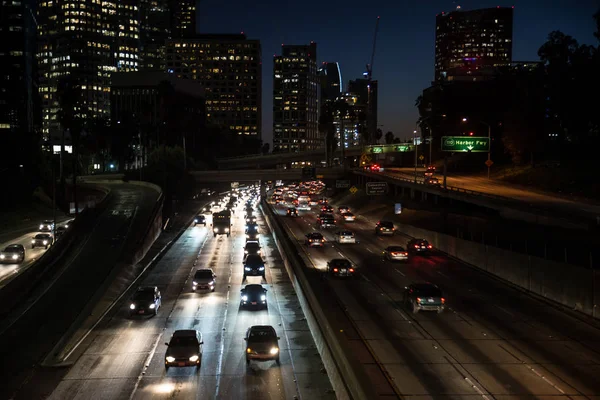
(184, 349)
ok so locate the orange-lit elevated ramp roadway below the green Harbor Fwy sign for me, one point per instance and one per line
(498, 188)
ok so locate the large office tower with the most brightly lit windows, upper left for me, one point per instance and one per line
(88, 41)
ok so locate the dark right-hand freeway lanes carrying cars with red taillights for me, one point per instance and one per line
(492, 341)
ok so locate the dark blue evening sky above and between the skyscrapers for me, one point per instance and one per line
(403, 66)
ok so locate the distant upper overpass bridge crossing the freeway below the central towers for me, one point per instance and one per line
(313, 156)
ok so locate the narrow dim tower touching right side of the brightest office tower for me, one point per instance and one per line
(155, 29)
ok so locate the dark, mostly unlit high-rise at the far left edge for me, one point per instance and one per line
(18, 90)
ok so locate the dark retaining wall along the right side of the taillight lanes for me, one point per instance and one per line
(569, 285)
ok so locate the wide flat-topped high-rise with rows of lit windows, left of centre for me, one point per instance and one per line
(229, 67)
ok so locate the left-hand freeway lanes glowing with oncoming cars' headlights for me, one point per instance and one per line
(124, 358)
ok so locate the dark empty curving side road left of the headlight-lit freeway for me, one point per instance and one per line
(25, 340)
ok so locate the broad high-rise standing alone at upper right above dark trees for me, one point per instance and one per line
(472, 39)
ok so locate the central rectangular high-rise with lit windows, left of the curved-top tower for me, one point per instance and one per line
(295, 99)
